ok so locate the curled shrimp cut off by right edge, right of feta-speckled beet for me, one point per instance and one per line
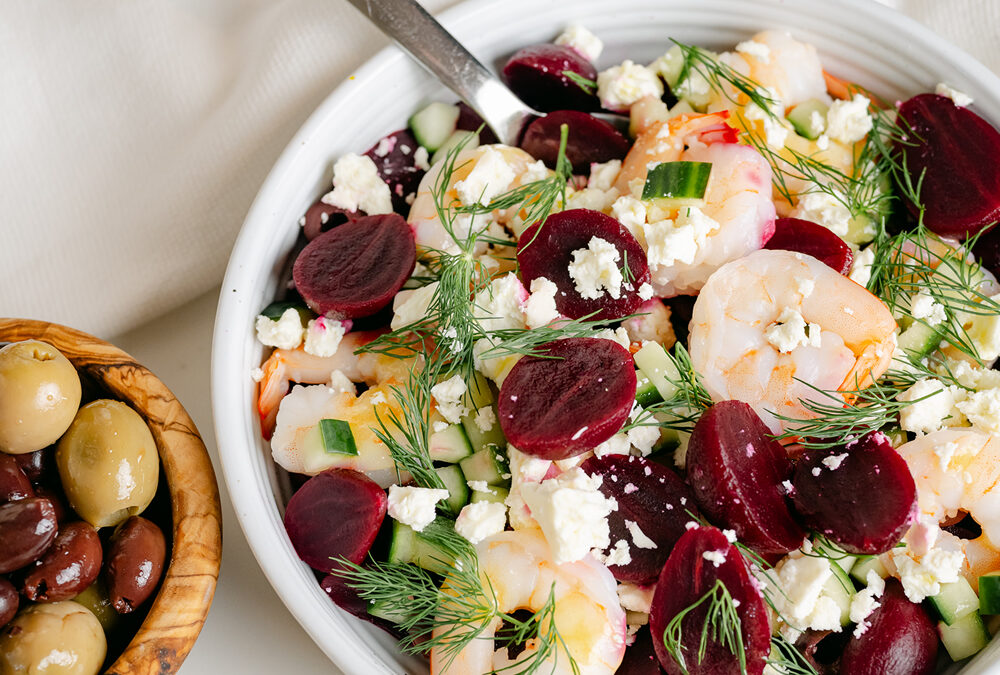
(958, 470)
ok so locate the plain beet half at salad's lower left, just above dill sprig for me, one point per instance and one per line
(336, 514)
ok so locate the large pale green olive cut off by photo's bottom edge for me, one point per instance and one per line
(56, 638)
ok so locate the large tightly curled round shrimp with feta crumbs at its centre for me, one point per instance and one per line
(739, 348)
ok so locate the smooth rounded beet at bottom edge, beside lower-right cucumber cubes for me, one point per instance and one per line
(901, 639)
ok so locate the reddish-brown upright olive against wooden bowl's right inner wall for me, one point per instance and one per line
(135, 563)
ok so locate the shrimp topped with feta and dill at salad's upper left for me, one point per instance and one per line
(428, 231)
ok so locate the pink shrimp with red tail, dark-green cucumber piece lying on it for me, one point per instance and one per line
(736, 218)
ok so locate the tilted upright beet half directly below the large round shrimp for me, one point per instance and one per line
(736, 470)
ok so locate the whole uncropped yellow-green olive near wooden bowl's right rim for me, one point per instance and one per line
(108, 463)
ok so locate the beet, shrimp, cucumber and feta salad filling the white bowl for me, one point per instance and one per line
(710, 396)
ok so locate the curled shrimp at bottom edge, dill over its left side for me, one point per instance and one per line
(517, 565)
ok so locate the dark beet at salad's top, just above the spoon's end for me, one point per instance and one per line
(535, 74)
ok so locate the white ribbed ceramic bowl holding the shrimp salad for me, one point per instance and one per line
(858, 40)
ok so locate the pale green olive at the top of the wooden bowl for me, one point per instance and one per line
(39, 395)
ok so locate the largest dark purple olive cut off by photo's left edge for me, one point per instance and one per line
(27, 528)
